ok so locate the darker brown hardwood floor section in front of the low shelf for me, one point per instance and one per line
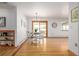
(7, 50)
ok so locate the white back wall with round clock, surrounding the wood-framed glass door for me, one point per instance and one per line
(52, 32)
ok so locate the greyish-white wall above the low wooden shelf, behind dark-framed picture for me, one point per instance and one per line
(10, 13)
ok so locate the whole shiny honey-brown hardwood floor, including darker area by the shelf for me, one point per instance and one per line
(46, 47)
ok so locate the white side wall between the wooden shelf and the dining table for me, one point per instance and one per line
(21, 29)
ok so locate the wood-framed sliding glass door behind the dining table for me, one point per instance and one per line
(40, 26)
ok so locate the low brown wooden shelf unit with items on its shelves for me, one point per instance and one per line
(7, 37)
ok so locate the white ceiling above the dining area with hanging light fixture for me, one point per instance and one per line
(46, 9)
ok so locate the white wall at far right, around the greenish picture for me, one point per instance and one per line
(73, 32)
